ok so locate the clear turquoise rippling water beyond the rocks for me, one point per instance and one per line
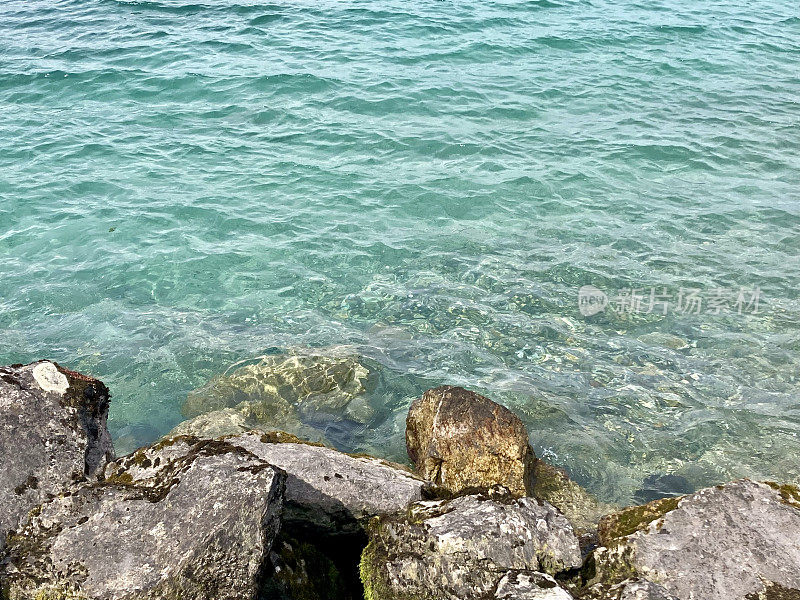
(184, 185)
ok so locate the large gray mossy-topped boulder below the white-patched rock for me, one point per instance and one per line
(185, 518)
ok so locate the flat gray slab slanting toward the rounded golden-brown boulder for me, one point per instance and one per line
(330, 491)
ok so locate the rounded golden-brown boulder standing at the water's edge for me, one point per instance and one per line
(461, 440)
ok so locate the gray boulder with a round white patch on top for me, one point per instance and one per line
(52, 432)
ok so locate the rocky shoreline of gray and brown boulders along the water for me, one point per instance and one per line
(222, 510)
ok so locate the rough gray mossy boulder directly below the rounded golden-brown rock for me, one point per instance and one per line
(462, 548)
